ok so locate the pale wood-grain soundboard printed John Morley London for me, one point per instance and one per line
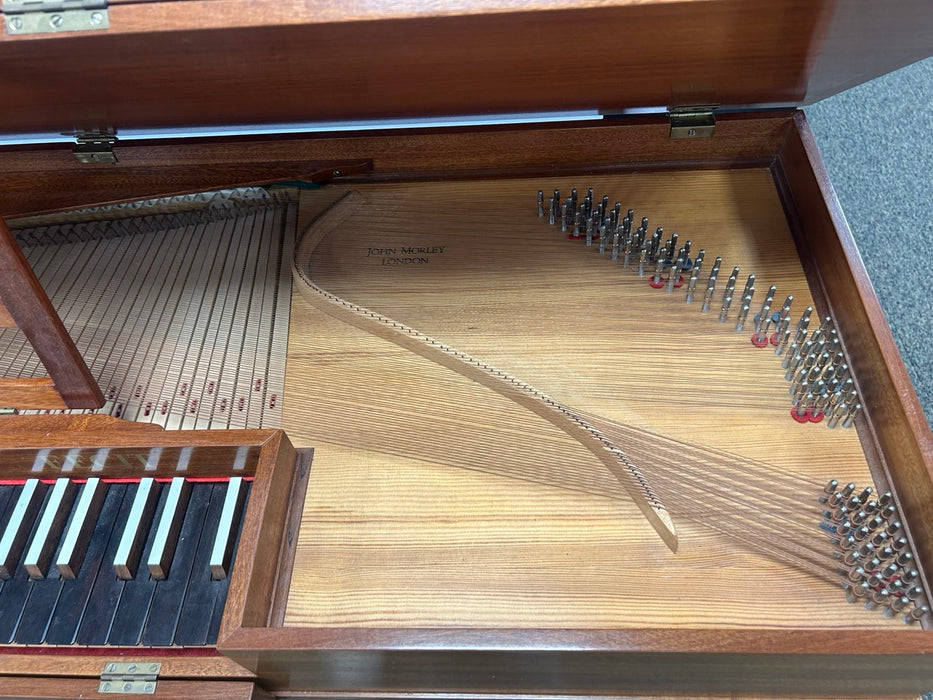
(435, 502)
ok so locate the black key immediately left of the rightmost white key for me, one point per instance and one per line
(203, 589)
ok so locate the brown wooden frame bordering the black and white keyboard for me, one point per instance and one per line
(71, 444)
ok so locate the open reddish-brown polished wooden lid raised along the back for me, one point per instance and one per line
(196, 63)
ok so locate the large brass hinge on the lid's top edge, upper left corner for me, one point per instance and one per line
(40, 16)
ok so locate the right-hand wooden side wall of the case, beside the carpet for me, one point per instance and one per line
(896, 423)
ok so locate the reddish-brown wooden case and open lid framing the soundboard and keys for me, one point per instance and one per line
(200, 63)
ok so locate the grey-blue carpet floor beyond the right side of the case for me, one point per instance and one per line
(877, 142)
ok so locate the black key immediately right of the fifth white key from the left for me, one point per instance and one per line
(170, 593)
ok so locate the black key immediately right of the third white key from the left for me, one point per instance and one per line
(70, 611)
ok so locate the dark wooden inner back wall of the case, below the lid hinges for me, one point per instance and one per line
(147, 170)
